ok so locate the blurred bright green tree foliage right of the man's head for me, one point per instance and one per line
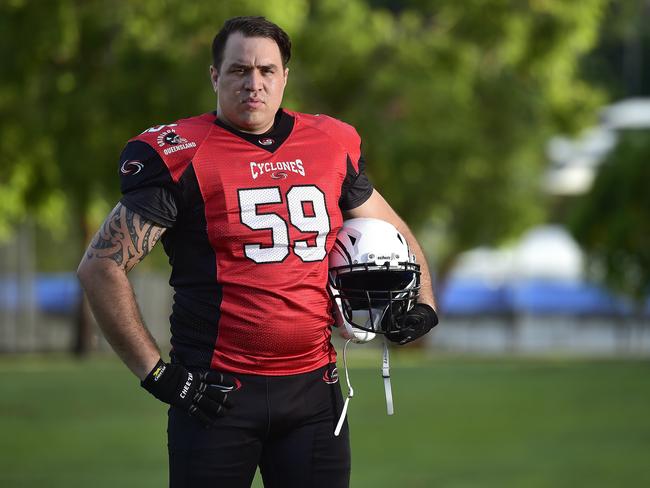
(455, 102)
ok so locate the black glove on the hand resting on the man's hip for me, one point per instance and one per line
(203, 395)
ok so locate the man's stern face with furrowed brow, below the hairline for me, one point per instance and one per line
(250, 83)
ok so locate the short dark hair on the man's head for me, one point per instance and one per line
(250, 27)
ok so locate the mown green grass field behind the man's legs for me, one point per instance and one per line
(459, 422)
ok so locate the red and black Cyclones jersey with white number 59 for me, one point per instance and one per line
(251, 220)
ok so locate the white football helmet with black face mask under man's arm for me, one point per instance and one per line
(373, 279)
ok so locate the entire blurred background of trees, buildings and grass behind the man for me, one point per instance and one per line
(513, 136)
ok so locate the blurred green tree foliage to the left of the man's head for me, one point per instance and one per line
(79, 79)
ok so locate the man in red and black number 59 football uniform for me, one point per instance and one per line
(247, 202)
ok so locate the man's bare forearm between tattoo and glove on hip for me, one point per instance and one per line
(113, 303)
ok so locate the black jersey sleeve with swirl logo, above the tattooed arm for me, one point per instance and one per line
(147, 185)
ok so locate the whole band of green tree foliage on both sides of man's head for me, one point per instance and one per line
(454, 100)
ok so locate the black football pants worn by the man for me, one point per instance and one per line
(284, 424)
